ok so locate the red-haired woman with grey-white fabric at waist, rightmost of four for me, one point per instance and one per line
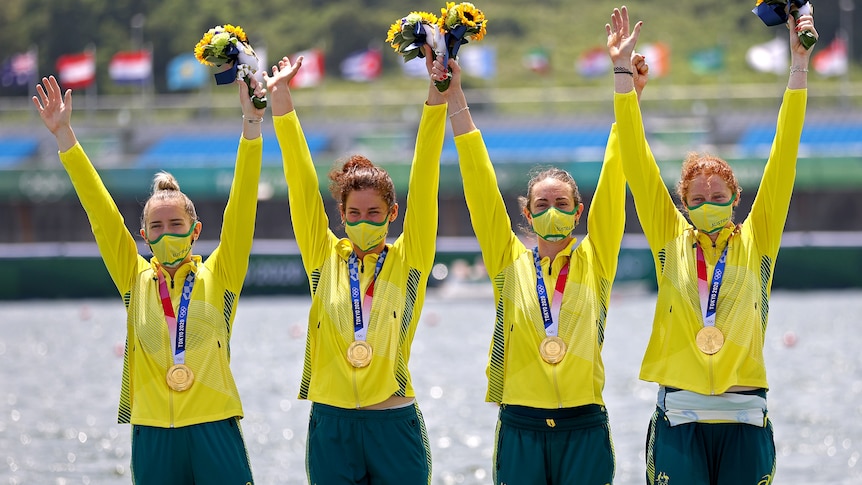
(710, 425)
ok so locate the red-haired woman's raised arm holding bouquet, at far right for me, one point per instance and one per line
(769, 209)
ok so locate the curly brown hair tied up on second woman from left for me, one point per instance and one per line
(358, 173)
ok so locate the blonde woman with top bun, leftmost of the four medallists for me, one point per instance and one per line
(178, 390)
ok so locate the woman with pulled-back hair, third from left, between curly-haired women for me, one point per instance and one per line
(545, 368)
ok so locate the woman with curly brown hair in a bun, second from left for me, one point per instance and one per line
(366, 299)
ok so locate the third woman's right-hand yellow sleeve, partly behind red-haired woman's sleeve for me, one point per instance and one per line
(607, 217)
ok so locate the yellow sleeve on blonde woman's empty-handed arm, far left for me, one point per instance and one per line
(116, 244)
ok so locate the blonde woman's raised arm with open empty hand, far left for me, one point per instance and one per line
(116, 244)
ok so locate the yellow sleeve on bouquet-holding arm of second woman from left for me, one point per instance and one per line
(421, 216)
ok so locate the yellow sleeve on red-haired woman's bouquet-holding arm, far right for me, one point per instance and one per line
(769, 209)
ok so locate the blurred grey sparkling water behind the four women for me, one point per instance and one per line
(60, 366)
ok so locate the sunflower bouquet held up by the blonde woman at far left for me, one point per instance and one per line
(227, 47)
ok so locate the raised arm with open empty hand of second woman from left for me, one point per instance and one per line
(307, 213)
